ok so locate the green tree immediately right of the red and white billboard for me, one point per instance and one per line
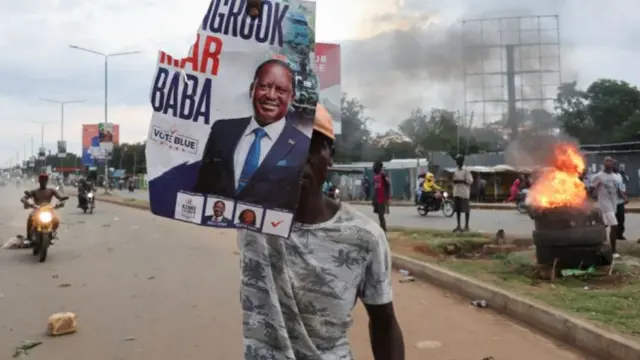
(353, 142)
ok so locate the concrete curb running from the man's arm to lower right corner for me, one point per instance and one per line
(572, 331)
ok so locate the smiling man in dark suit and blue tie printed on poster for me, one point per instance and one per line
(258, 158)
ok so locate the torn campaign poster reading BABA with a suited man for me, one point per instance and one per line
(232, 120)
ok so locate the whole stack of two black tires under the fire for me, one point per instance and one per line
(573, 248)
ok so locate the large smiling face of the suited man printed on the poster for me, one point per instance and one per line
(272, 93)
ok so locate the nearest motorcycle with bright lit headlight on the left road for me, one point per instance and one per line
(42, 231)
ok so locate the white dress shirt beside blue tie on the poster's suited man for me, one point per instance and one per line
(273, 131)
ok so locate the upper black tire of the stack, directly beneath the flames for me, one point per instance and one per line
(579, 236)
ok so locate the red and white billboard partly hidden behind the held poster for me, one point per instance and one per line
(328, 70)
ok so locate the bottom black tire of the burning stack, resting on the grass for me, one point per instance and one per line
(575, 257)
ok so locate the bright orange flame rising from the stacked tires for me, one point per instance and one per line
(560, 184)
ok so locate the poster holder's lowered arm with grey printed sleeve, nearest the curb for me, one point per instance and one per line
(385, 335)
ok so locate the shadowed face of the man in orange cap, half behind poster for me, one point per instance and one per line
(319, 160)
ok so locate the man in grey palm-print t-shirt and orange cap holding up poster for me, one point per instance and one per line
(303, 289)
